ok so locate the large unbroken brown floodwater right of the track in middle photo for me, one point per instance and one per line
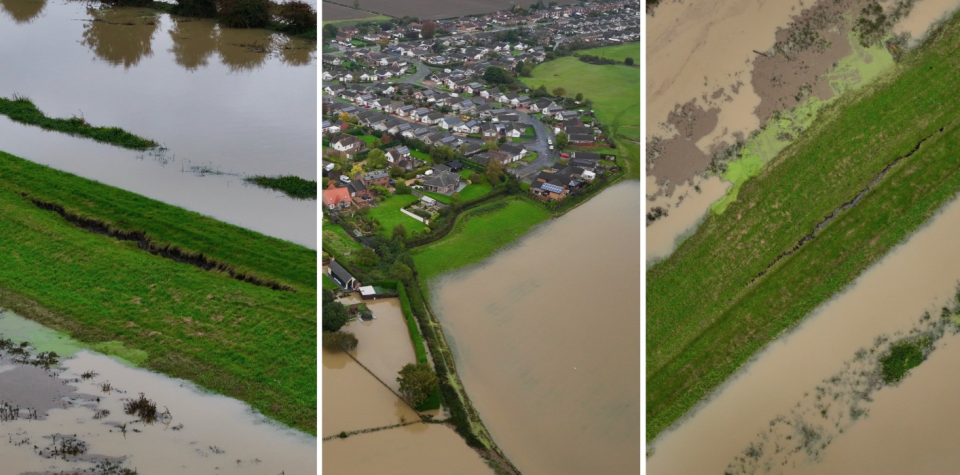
(546, 335)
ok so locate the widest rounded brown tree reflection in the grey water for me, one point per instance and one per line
(120, 37)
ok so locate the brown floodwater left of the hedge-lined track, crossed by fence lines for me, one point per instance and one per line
(353, 400)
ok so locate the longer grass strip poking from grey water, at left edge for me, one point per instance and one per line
(21, 109)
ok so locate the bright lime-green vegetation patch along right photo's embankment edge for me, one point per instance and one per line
(861, 67)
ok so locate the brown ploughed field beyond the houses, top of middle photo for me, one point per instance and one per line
(428, 9)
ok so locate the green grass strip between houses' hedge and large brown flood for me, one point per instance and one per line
(478, 233)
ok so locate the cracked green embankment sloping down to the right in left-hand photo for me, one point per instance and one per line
(229, 336)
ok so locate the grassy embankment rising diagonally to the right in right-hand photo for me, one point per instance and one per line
(716, 301)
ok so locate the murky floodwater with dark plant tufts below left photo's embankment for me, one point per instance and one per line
(205, 433)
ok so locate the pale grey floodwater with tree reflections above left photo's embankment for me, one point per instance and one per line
(226, 103)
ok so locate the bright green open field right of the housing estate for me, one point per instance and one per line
(615, 92)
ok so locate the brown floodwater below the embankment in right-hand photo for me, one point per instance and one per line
(906, 428)
